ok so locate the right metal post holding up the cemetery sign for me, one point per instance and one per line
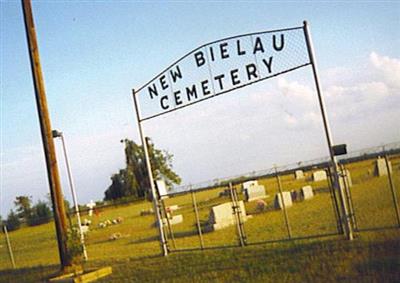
(336, 184)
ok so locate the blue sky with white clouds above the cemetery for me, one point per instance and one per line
(94, 52)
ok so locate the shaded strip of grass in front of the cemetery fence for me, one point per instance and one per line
(373, 257)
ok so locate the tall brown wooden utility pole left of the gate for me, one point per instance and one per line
(47, 139)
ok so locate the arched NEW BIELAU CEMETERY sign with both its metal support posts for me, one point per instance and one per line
(220, 67)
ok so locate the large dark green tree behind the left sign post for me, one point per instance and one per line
(133, 179)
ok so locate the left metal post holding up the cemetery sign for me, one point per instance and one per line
(164, 247)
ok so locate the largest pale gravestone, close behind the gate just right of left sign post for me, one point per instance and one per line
(222, 215)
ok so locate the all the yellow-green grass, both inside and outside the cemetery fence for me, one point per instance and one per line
(374, 255)
